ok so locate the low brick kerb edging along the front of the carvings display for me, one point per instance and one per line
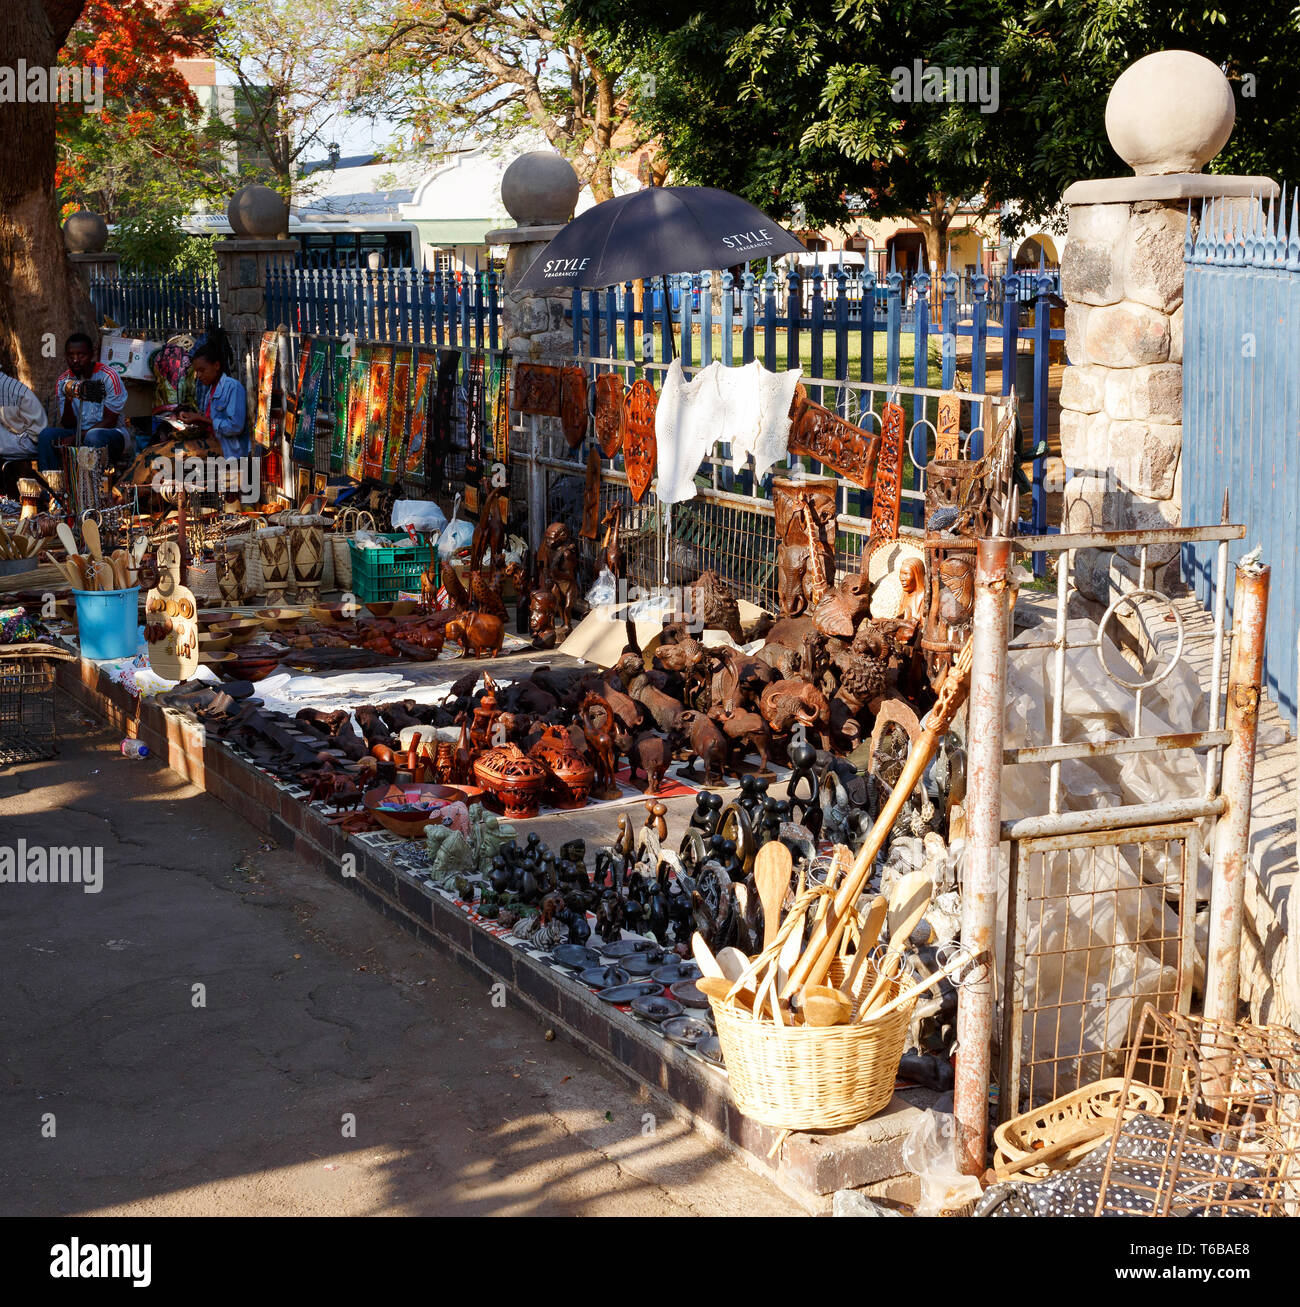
(811, 1166)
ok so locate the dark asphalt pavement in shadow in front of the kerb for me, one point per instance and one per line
(317, 1014)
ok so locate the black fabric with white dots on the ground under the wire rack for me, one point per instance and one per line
(1207, 1180)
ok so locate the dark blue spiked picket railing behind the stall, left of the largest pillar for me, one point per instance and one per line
(783, 318)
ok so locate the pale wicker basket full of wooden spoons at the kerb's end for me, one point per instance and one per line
(813, 1079)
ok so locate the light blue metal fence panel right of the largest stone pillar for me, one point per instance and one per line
(1242, 406)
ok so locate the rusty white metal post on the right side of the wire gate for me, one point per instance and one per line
(1233, 833)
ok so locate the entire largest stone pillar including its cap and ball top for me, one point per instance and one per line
(1122, 276)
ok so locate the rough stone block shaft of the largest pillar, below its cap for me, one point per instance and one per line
(1122, 397)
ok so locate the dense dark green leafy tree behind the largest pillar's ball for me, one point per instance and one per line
(798, 107)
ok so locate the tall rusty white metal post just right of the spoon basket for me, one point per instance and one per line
(984, 833)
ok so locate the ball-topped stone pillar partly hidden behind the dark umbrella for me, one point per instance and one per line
(539, 191)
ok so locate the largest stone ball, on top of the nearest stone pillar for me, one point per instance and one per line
(1171, 112)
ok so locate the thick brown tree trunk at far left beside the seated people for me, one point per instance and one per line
(42, 299)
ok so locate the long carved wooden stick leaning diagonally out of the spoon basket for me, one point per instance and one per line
(817, 957)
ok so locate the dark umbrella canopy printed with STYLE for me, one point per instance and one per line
(659, 231)
